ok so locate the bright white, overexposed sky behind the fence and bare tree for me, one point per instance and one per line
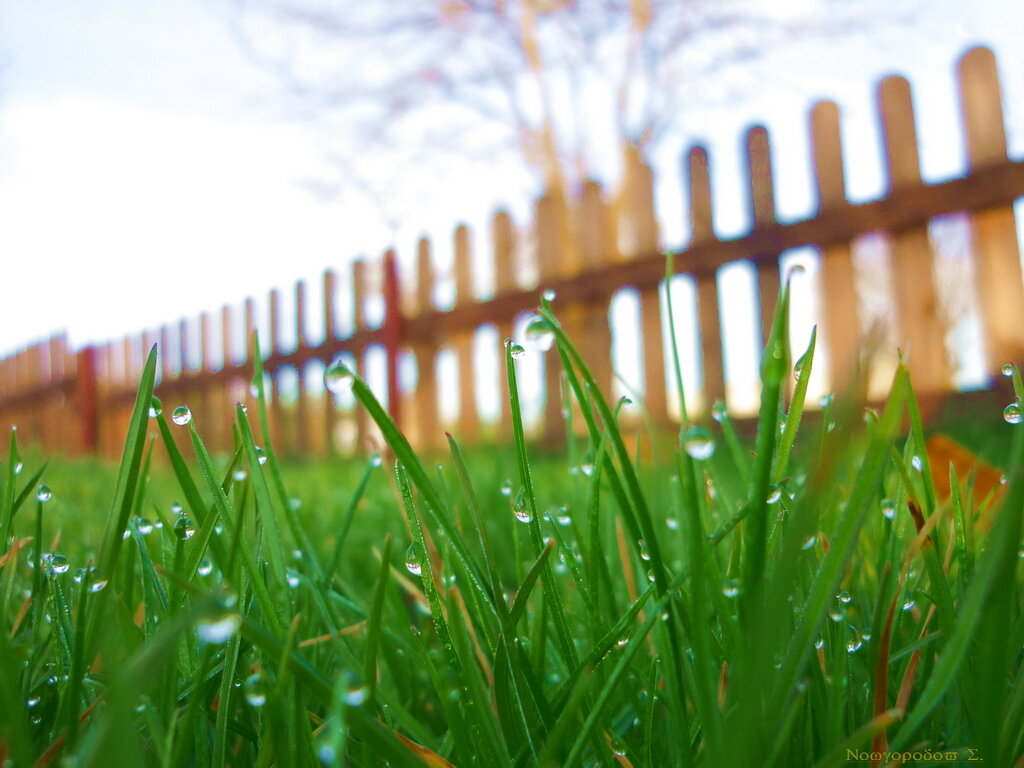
(148, 170)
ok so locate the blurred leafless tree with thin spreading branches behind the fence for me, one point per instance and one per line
(562, 84)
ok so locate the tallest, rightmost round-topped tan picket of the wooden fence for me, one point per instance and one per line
(999, 281)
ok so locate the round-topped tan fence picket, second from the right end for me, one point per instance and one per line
(922, 332)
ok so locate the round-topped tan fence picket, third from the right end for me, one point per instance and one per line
(841, 321)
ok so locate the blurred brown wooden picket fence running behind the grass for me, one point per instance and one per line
(586, 250)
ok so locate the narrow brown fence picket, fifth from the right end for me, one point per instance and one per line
(709, 319)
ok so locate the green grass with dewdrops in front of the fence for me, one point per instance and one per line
(814, 603)
